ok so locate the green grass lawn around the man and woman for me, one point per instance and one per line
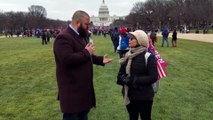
(28, 87)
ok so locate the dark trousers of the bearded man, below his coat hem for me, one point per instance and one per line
(76, 116)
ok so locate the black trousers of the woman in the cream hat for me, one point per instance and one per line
(140, 107)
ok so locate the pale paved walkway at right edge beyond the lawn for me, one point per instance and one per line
(193, 36)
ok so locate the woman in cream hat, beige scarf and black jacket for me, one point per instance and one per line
(137, 77)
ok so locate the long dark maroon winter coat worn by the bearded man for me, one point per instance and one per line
(74, 72)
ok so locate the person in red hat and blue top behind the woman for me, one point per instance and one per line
(123, 45)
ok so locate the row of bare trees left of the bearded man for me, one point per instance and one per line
(17, 22)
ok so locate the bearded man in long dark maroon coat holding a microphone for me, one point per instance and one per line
(74, 57)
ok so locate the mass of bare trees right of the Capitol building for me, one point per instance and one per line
(173, 13)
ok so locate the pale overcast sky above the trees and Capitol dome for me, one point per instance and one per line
(64, 9)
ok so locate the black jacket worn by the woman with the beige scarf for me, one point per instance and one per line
(142, 77)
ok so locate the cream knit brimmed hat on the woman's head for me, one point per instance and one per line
(141, 37)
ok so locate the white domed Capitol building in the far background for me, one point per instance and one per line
(103, 18)
